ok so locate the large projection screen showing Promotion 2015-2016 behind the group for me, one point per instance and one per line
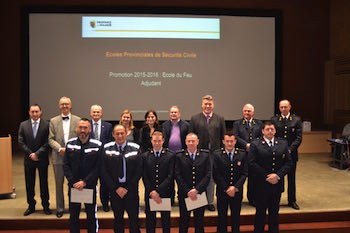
(152, 61)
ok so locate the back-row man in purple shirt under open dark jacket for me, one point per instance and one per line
(175, 131)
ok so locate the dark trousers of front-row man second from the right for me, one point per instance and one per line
(235, 203)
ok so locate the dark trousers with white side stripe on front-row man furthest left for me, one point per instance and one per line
(90, 209)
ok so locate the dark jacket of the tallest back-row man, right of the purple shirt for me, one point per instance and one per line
(212, 134)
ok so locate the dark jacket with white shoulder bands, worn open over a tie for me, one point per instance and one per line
(112, 160)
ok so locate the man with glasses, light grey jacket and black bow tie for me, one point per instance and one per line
(62, 128)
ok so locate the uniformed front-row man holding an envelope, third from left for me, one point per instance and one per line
(158, 175)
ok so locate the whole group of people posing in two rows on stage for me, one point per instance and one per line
(197, 155)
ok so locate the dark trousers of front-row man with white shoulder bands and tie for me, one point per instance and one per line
(130, 203)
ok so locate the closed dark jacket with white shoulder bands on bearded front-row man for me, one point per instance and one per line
(82, 161)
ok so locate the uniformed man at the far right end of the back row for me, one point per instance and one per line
(289, 127)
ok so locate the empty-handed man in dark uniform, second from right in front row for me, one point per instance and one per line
(229, 172)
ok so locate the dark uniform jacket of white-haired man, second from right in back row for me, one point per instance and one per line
(245, 134)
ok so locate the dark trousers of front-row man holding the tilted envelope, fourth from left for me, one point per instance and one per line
(185, 218)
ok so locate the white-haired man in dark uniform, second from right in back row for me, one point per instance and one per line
(247, 129)
